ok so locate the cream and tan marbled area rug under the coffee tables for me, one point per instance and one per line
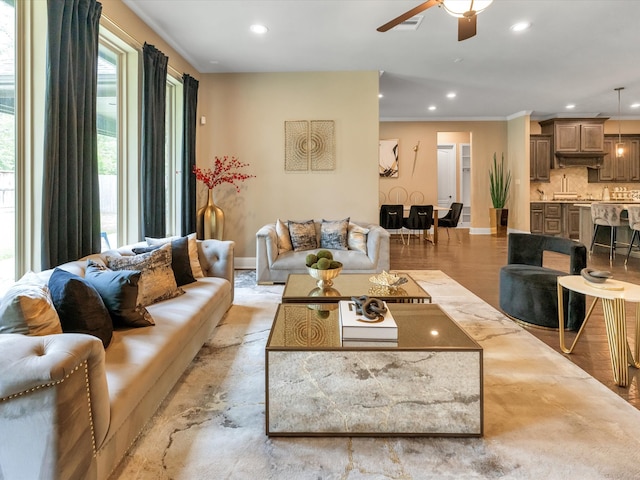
(544, 417)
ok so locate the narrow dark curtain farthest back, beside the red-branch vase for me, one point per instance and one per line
(190, 104)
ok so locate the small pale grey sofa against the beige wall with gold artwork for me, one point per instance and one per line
(275, 260)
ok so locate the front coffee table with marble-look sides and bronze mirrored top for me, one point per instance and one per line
(430, 384)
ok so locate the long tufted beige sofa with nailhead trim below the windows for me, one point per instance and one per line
(70, 409)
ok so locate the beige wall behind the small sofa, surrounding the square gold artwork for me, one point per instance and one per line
(245, 117)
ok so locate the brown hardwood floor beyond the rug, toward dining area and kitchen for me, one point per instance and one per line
(474, 261)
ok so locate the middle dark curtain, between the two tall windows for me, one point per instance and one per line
(154, 106)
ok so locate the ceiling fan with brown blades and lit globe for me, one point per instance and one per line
(465, 10)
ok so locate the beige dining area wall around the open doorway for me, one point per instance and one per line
(485, 138)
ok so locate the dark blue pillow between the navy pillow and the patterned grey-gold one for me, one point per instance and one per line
(119, 292)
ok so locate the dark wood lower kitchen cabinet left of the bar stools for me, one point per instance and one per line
(555, 218)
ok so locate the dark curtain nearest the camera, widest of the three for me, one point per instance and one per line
(71, 199)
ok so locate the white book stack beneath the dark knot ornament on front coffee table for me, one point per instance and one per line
(359, 331)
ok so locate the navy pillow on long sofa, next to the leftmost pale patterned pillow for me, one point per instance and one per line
(80, 306)
